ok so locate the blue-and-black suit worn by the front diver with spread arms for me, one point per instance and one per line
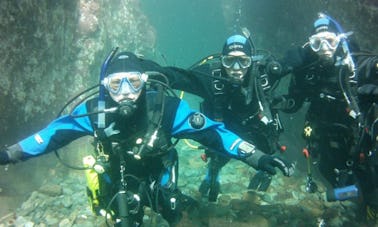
(157, 169)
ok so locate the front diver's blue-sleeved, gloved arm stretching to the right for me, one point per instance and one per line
(194, 125)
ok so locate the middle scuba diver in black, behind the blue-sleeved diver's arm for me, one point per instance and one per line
(237, 89)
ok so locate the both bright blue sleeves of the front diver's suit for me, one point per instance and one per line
(176, 123)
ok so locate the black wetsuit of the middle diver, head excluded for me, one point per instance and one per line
(238, 106)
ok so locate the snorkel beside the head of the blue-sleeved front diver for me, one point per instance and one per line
(101, 98)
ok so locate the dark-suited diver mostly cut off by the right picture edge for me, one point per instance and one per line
(367, 91)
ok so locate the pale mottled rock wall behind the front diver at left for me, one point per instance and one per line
(51, 50)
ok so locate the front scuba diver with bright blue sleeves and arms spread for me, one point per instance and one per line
(132, 121)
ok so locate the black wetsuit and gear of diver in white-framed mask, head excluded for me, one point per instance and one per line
(331, 130)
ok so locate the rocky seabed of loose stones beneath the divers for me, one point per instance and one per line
(62, 201)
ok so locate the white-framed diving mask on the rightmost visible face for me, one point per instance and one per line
(331, 40)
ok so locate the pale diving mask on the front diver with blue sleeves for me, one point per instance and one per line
(124, 82)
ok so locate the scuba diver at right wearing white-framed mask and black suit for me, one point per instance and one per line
(327, 73)
